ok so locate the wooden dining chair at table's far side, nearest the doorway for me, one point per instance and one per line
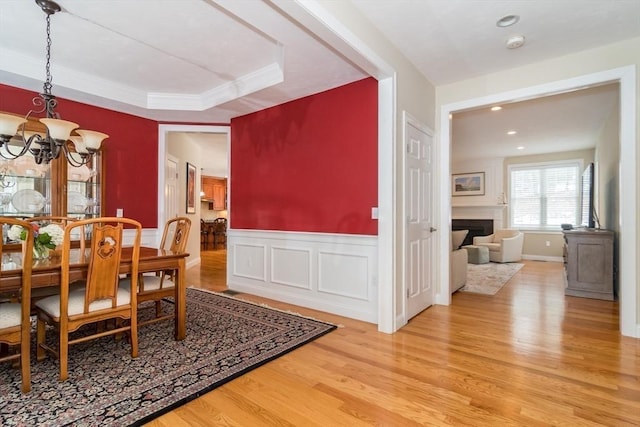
(155, 287)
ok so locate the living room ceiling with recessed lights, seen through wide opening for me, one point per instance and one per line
(564, 122)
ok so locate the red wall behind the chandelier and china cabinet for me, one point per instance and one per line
(131, 152)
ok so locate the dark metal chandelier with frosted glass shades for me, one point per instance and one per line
(16, 140)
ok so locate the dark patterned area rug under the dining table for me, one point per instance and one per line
(226, 338)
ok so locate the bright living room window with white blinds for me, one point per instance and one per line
(544, 195)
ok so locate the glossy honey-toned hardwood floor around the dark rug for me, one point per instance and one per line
(527, 356)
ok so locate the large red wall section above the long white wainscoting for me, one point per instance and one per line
(308, 165)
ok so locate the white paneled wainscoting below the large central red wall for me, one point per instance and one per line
(336, 273)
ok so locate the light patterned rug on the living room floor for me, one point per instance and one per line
(489, 278)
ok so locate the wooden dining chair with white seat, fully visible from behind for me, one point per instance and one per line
(101, 298)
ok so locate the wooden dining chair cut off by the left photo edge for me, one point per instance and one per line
(15, 324)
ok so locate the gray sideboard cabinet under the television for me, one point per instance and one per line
(588, 263)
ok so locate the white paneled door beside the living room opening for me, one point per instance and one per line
(419, 226)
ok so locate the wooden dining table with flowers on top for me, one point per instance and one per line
(47, 273)
